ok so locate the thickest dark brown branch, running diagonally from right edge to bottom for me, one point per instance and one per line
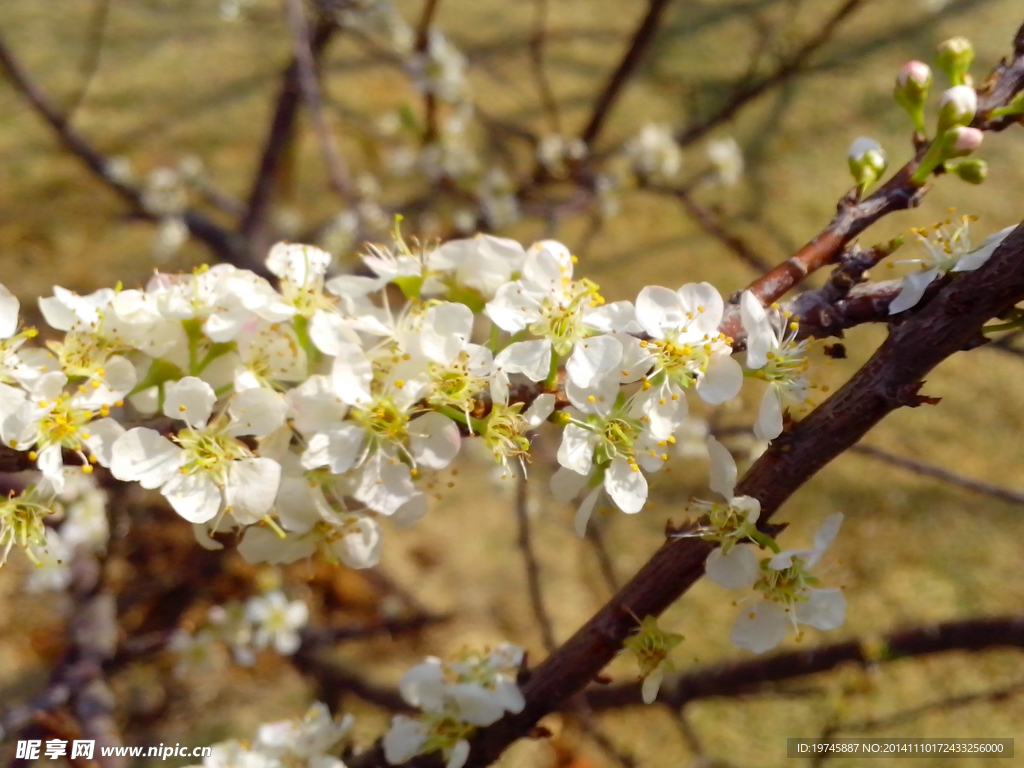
(890, 380)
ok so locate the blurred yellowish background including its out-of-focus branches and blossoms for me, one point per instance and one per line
(175, 100)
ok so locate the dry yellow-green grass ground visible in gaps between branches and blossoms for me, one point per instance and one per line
(176, 80)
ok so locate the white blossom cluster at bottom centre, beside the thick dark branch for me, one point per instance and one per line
(473, 691)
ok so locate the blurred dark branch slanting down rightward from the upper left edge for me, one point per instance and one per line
(223, 243)
